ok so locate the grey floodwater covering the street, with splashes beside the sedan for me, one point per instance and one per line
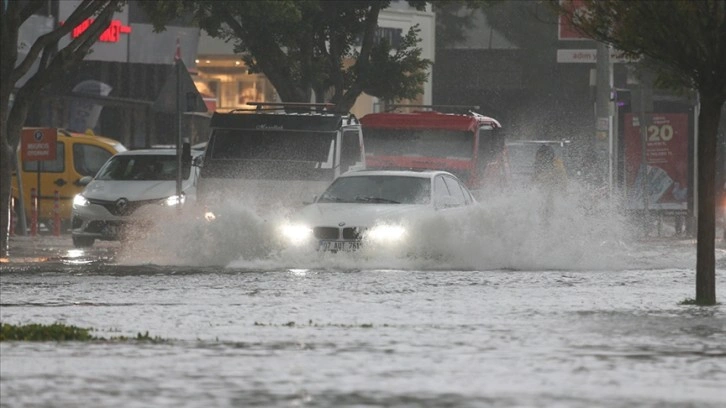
(575, 312)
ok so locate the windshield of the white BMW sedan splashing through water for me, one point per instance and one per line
(378, 190)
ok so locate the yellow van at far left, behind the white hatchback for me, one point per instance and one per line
(77, 155)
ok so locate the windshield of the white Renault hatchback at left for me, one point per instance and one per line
(141, 167)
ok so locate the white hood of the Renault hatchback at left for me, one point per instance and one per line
(111, 190)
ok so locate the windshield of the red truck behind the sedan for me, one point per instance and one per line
(421, 142)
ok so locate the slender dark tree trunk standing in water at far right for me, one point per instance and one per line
(705, 249)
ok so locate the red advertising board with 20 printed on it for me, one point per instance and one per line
(663, 176)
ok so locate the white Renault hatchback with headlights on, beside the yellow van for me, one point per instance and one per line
(134, 187)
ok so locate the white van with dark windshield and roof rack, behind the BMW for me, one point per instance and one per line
(277, 154)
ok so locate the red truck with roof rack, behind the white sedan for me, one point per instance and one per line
(466, 144)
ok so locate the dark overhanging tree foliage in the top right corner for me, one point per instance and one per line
(685, 39)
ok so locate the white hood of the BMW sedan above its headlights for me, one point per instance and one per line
(354, 214)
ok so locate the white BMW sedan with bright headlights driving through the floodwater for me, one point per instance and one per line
(365, 208)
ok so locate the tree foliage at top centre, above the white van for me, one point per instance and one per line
(306, 46)
